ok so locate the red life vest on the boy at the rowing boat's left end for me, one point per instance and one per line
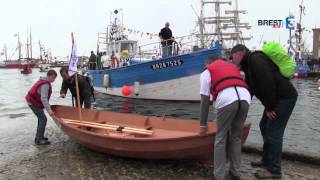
(33, 97)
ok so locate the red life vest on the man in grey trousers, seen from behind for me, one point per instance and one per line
(224, 75)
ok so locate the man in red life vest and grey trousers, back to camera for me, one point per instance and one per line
(223, 81)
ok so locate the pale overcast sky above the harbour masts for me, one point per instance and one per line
(52, 21)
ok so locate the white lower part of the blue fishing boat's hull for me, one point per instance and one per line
(181, 89)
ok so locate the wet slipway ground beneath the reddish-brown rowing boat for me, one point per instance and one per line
(66, 159)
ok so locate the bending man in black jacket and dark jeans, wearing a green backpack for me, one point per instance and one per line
(277, 95)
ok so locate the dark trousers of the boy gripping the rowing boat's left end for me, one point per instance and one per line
(42, 121)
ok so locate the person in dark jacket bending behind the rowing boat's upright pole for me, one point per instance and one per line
(85, 90)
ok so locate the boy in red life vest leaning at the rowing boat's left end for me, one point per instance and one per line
(38, 98)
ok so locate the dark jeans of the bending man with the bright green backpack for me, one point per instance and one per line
(272, 132)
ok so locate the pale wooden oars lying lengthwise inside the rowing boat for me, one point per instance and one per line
(109, 127)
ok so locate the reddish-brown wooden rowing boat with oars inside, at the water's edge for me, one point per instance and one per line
(138, 136)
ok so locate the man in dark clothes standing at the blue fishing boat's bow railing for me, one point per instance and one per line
(166, 40)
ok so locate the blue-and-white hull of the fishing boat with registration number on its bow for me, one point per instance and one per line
(173, 78)
